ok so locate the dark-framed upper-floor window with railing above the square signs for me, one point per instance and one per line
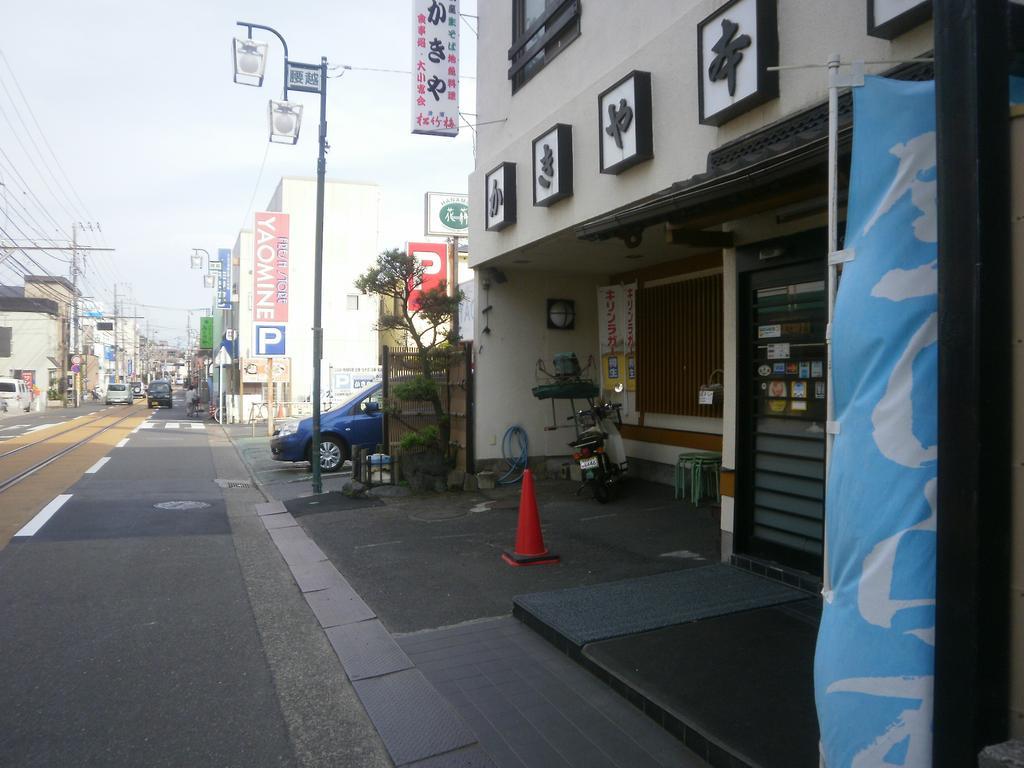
(541, 29)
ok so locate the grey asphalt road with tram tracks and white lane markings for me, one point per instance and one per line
(144, 619)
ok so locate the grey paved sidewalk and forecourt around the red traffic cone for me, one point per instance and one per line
(425, 575)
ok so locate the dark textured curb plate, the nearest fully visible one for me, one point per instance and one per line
(415, 721)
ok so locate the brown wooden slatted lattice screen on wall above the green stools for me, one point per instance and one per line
(679, 346)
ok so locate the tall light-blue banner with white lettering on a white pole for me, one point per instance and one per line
(874, 668)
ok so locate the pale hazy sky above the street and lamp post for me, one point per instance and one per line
(124, 114)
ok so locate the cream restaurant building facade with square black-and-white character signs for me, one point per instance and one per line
(675, 160)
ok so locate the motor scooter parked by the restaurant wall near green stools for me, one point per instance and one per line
(600, 450)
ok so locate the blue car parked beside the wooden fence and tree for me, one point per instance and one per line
(356, 424)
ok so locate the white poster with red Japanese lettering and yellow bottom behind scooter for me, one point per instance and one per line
(617, 335)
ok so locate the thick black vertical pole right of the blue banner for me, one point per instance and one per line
(975, 399)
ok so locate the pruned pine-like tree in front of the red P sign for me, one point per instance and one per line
(428, 320)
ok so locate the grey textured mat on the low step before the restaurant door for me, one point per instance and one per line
(585, 615)
